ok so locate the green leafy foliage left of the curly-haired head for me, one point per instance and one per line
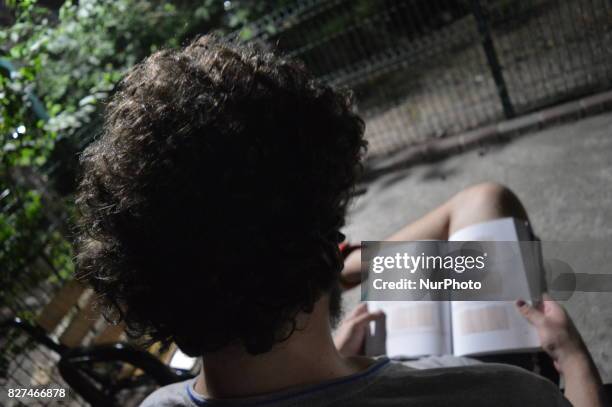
(56, 69)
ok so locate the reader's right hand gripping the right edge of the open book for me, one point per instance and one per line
(558, 335)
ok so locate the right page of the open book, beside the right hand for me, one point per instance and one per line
(483, 327)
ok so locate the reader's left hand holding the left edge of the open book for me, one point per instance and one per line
(351, 334)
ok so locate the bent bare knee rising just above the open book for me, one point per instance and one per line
(482, 202)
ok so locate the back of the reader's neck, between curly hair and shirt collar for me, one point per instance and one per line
(307, 357)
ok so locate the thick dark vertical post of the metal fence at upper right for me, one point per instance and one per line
(492, 59)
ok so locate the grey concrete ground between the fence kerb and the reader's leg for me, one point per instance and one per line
(562, 174)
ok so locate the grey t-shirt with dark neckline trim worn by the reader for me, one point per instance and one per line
(392, 384)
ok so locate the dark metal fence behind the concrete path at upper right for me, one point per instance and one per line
(425, 69)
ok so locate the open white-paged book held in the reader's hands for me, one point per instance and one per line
(461, 328)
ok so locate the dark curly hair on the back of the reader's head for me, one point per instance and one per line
(210, 206)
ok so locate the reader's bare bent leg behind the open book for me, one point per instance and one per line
(476, 204)
